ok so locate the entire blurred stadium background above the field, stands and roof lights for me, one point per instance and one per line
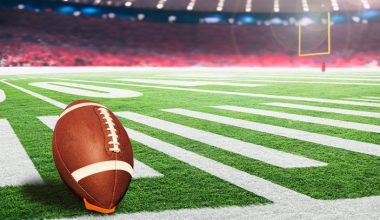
(171, 33)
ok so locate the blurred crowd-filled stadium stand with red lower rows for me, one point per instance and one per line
(41, 39)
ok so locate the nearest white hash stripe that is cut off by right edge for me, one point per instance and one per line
(341, 143)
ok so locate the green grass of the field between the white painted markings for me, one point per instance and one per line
(347, 175)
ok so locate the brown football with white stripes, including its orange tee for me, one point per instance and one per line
(93, 155)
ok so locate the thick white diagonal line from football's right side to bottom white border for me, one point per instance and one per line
(251, 183)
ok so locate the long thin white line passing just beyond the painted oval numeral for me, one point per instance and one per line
(333, 101)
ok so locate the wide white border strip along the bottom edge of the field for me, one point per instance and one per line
(361, 208)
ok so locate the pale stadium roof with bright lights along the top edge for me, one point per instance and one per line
(291, 6)
